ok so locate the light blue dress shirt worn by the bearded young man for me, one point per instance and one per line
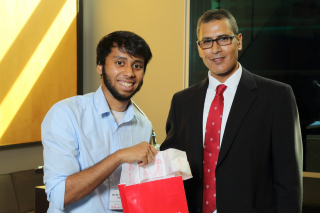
(79, 132)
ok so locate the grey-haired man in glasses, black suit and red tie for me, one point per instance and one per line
(241, 132)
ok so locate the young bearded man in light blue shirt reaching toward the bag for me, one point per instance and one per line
(87, 138)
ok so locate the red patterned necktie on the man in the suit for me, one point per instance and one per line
(211, 150)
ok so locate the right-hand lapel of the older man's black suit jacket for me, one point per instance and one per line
(242, 102)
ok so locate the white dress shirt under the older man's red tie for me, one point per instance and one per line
(228, 95)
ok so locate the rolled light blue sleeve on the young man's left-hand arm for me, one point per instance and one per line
(61, 153)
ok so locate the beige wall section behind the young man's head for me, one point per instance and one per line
(162, 25)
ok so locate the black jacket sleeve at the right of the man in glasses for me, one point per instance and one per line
(287, 154)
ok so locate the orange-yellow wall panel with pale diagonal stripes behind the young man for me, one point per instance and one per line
(38, 64)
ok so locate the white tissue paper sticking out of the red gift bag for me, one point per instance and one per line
(166, 164)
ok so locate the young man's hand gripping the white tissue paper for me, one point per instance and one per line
(142, 153)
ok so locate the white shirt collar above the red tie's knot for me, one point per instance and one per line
(231, 83)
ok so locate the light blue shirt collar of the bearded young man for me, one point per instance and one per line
(102, 106)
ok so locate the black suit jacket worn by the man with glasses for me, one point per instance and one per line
(259, 167)
